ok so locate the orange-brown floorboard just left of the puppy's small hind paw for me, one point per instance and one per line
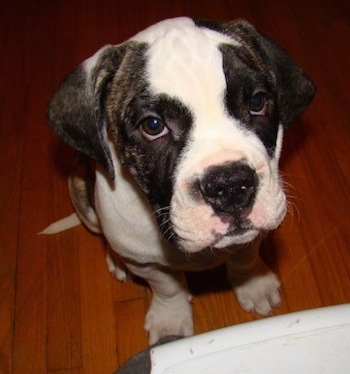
(97, 307)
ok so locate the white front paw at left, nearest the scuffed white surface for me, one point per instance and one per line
(166, 318)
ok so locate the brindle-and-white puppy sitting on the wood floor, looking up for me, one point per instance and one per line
(179, 131)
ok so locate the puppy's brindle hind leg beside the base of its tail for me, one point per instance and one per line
(81, 185)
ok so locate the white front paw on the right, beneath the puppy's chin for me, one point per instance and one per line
(259, 294)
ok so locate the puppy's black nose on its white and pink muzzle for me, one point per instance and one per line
(229, 188)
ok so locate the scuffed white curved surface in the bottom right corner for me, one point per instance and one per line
(312, 341)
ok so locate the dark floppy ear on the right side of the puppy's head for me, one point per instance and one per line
(294, 89)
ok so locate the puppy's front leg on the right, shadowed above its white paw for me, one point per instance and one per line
(256, 286)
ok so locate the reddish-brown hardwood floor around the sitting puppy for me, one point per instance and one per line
(60, 310)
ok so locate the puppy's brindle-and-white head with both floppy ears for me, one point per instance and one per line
(197, 112)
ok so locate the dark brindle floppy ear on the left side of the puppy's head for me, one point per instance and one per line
(76, 111)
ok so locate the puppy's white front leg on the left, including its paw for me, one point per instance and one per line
(170, 312)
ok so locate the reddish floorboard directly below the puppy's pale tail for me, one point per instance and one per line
(64, 346)
